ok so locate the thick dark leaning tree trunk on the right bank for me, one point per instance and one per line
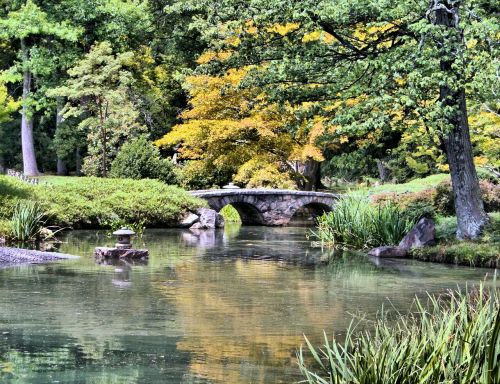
(469, 207)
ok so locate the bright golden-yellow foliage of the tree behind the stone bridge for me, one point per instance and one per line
(230, 127)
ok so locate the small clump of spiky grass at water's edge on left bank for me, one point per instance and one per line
(26, 223)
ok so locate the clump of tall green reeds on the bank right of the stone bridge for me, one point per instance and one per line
(355, 223)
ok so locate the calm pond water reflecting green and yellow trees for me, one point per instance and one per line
(221, 307)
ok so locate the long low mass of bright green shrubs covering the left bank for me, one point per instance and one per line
(88, 202)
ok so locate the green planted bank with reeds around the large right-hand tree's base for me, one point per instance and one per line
(357, 222)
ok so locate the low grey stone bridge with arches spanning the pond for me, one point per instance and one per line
(270, 207)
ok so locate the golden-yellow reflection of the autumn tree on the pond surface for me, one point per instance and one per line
(242, 313)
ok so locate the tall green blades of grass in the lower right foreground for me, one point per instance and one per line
(456, 340)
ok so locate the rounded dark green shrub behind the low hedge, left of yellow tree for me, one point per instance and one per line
(140, 159)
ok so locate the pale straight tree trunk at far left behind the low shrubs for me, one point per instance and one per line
(30, 167)
